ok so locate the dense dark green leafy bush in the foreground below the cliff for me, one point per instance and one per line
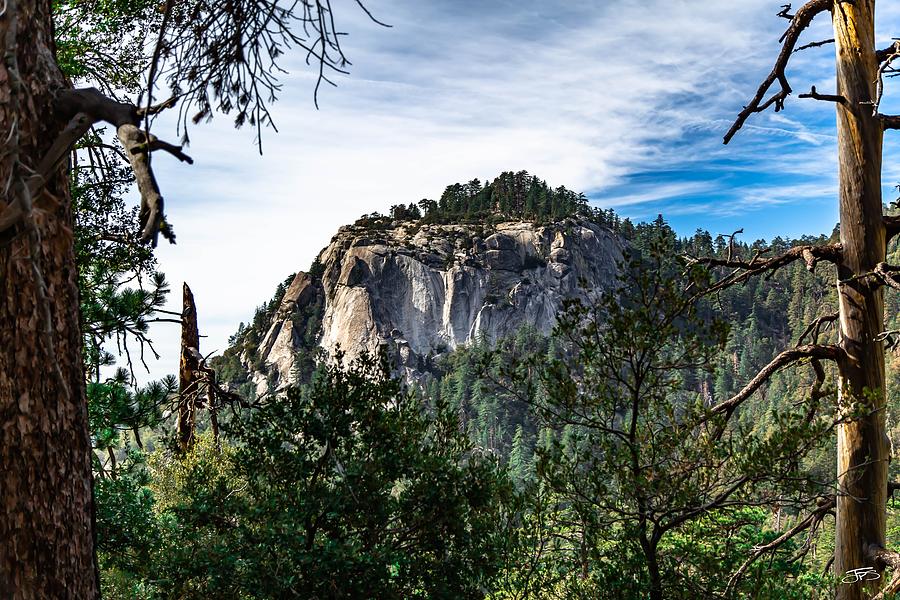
(342, 489)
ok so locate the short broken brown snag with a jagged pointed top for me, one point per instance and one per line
(188, 382)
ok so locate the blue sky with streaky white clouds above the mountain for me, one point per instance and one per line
(625, 100)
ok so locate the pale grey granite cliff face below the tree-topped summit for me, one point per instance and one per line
(420, 291)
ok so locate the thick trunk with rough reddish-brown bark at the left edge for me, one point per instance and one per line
(46, 524)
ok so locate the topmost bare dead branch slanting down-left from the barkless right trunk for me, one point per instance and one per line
(799, 22)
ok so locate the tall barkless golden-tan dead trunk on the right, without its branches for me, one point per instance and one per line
(863, 449)
